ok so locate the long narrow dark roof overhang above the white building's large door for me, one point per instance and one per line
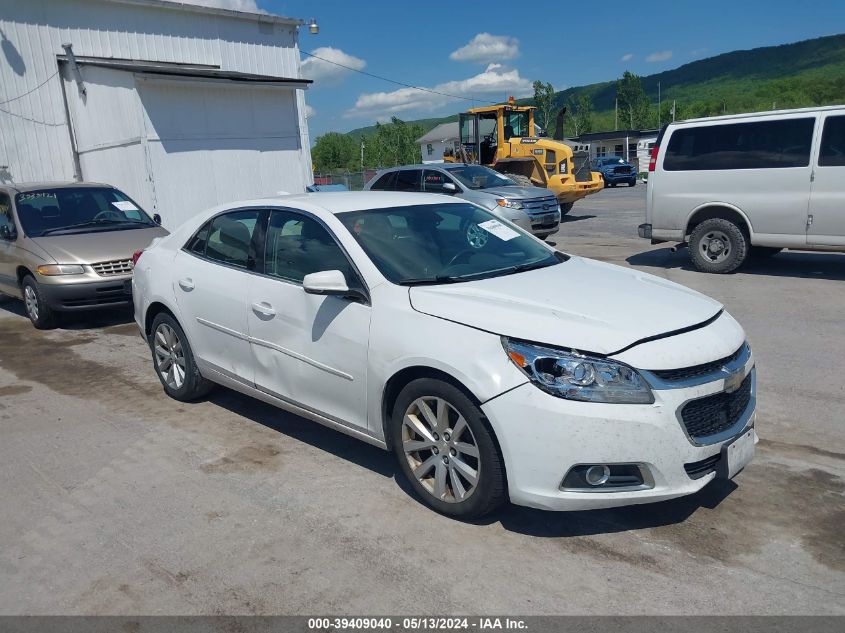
(189, 71)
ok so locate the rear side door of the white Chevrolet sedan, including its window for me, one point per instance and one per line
(211, 291)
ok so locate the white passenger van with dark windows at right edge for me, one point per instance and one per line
(749, 185)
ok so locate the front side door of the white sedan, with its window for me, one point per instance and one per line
(310, 350)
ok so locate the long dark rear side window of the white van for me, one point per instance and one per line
(753, 145)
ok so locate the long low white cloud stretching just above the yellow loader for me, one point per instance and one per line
(496, 81)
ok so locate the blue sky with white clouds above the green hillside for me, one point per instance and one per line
(491, 49)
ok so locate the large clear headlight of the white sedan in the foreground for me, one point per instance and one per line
(578, 377)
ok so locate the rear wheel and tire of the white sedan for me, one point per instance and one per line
(169, 343)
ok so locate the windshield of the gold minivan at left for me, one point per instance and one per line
(65, 210)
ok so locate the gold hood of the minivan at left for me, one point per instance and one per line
(99, 246)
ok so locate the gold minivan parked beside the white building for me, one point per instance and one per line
(68, 247)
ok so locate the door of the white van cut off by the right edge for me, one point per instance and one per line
(826, 222)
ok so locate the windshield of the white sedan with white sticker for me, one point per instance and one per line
(444, 243)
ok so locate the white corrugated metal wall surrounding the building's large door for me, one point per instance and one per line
(34, 139)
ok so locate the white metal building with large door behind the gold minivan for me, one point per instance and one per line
(181, 106)
